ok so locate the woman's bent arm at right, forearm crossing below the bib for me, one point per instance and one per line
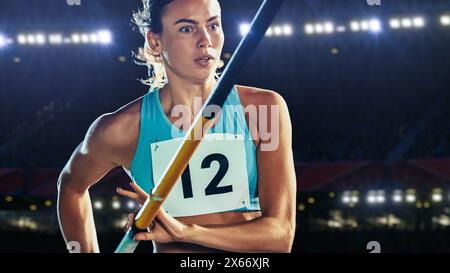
(274, 230)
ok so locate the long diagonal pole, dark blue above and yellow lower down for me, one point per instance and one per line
(202, 123)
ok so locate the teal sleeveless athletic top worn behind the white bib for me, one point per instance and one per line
(156, 127)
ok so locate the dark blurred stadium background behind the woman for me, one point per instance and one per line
(370, 116)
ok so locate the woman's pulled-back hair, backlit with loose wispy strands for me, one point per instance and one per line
(149, 18)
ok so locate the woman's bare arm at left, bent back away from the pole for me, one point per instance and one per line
(90, 161)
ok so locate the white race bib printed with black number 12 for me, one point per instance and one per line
(215, 180)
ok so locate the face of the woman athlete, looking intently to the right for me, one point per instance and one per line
(192, 39)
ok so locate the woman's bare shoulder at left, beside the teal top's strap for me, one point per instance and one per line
(115, 133)
